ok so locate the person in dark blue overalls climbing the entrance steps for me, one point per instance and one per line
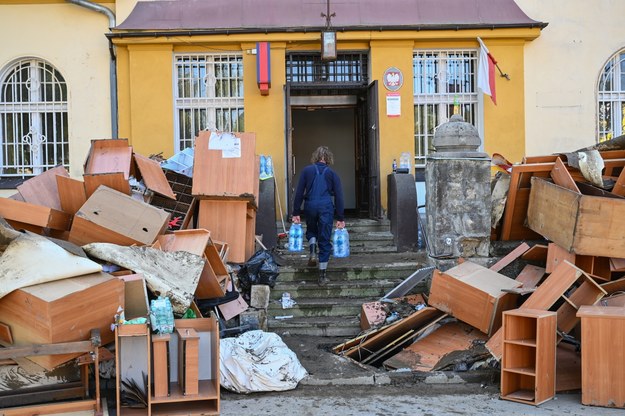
(320, 189)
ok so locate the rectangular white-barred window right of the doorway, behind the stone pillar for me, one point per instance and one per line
(445, 83)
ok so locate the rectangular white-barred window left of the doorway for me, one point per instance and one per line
(208, 94)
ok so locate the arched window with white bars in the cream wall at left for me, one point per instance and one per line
(33, 119)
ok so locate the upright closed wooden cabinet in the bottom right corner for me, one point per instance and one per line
(603, 360)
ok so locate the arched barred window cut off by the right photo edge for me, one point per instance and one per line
(611, 98)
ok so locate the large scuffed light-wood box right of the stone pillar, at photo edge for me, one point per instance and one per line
(582, 224)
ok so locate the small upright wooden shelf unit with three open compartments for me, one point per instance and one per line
(528, 361)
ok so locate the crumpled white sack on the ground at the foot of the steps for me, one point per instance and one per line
(258, 361)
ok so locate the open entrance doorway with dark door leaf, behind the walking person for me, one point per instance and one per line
(347, 124)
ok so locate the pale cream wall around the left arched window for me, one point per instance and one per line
(72, 39)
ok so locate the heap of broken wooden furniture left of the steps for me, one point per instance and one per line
(82, 259)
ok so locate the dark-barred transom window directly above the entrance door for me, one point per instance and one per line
(306, 69)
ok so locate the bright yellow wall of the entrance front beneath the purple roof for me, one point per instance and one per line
(146, 105)
